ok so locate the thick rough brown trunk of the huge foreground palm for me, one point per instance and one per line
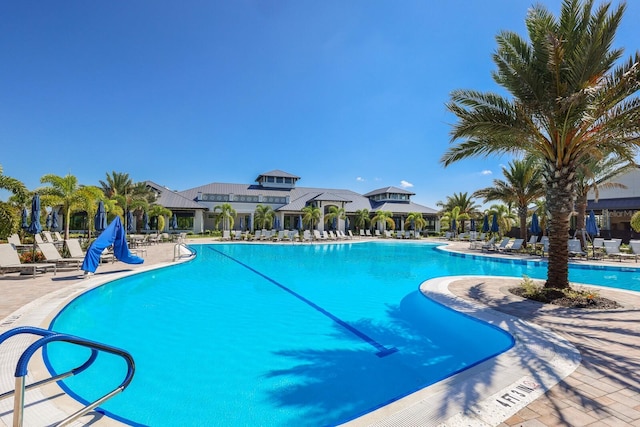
(560, 197)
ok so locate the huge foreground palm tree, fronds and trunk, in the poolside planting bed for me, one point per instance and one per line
(572, 99)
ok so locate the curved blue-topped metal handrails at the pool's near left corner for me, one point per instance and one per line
(47, 337)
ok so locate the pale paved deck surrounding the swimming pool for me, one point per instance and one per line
(569, 367)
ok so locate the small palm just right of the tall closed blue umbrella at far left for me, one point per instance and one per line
(64, 191)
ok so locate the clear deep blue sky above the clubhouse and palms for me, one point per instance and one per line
(344, 94)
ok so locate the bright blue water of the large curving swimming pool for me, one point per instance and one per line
(278, 335)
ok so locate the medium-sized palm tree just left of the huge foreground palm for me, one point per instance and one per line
(523, 186)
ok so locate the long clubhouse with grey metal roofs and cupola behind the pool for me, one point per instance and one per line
(194, 208)
